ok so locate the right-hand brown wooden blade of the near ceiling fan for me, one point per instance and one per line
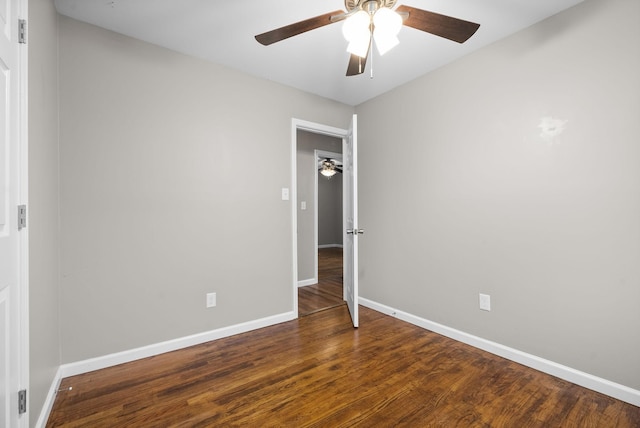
(450, 28)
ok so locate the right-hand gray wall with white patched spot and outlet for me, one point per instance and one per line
(480, 202)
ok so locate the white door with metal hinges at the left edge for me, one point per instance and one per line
(9, 200)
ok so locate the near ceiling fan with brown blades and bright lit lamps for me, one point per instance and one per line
(374, 20)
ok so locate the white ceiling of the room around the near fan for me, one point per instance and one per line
(316, 61)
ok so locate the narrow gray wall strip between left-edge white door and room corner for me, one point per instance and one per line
(44, 237)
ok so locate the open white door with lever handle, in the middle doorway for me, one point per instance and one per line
(350, 222)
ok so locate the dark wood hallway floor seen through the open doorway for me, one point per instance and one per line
(327, 293)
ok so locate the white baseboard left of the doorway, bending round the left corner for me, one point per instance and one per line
(110, 360)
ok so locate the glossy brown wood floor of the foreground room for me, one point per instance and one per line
(318, 371)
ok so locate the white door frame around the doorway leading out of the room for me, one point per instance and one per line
(316, 128)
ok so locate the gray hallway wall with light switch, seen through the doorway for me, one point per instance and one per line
(306, 170)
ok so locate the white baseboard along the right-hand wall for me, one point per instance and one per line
(604, 386)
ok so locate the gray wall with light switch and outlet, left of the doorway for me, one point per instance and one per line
(169, 191)
